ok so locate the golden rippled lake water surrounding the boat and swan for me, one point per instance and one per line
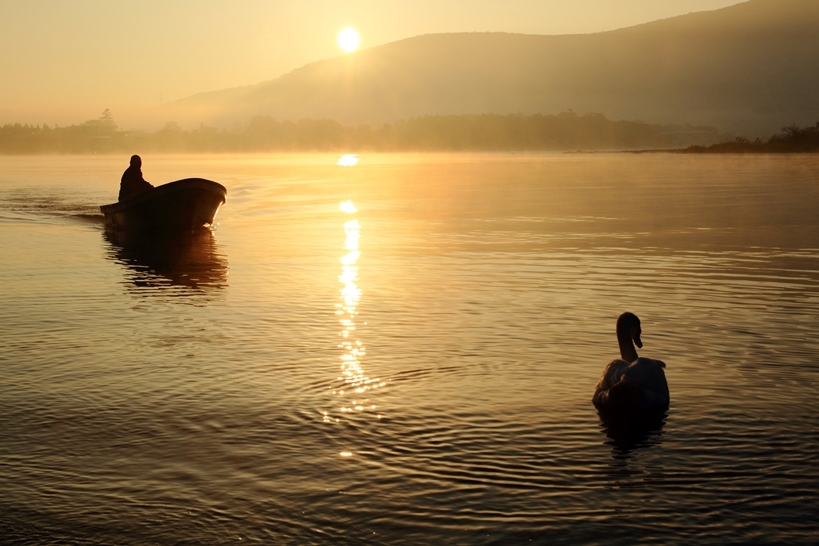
(404, 351)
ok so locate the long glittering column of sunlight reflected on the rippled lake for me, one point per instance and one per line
(353, 384)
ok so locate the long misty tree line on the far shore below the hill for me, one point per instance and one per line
(489, 132)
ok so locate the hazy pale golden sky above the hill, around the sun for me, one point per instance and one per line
(64, 61)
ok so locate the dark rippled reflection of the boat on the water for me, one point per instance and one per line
(186, 264)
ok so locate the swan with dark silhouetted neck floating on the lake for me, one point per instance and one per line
(631, 385)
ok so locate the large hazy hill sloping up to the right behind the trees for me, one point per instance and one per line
(751, 68)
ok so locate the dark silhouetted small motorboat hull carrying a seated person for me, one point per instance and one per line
(187, 205)
